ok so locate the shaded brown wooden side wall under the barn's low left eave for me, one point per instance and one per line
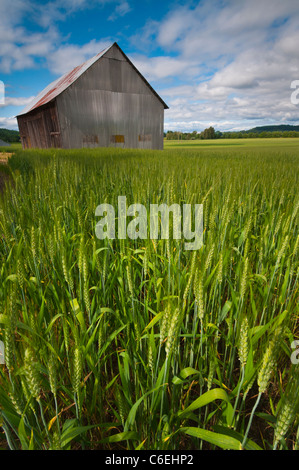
(40, 128)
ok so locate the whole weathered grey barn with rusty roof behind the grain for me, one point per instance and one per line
(104, 102)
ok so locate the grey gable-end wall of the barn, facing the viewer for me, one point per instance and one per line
(110, 105)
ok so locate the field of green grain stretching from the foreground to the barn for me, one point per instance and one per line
(140, 344)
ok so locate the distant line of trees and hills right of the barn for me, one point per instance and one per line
(210, 133)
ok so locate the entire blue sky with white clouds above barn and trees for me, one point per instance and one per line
(225, 63)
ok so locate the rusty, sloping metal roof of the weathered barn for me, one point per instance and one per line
(58, 86)
